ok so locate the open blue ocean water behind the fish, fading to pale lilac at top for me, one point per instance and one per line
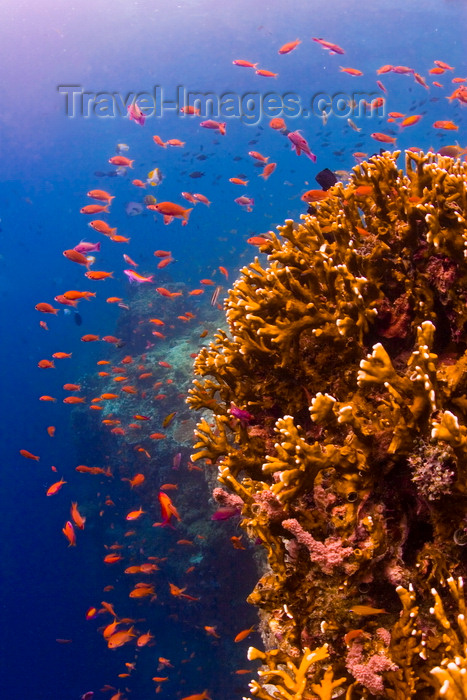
(49, 162)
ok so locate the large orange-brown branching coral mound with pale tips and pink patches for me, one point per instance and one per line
(335, 412)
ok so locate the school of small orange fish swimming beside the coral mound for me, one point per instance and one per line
(135, 380)
